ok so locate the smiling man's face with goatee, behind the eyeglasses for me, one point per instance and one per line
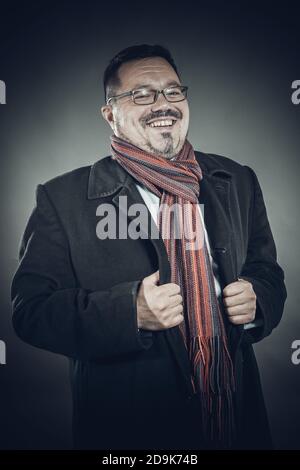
(130, 121)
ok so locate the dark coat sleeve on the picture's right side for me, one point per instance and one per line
(262, 269)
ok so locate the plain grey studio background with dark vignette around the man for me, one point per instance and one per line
(239, 61)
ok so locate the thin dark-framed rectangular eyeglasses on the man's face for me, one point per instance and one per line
(142, 96)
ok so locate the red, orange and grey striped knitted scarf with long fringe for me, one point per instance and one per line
(177, 182)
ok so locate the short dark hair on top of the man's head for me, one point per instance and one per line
(111, 80)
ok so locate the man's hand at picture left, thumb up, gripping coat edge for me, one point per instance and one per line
(158, 307)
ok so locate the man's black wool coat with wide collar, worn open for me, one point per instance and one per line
(75, 295)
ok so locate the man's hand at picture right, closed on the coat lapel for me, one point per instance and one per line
(239, 300)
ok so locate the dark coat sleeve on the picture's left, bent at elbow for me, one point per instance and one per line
(52, 312)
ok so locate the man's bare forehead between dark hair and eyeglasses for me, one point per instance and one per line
(148, 71)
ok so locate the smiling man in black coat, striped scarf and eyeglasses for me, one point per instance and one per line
(159, 333)
